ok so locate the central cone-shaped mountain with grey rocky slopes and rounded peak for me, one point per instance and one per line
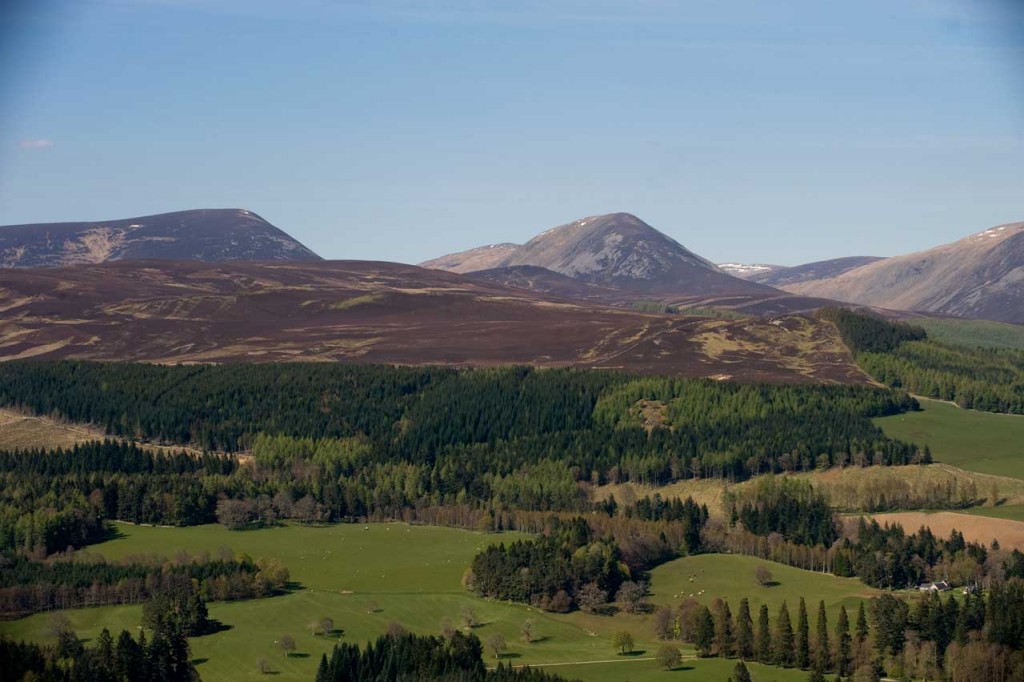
(617, 250)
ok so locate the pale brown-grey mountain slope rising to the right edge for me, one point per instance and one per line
(982, 277)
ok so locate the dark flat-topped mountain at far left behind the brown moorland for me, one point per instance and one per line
(207, 235)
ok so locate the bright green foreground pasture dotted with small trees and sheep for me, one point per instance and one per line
(367, 577)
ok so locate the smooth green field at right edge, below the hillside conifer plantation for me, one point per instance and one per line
(979, 442)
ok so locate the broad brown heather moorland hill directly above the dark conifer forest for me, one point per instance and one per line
(358, 312)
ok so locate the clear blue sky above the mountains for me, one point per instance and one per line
(783, 132)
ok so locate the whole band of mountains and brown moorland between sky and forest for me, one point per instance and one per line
(598, 292)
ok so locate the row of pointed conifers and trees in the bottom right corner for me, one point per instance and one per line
(978, 637)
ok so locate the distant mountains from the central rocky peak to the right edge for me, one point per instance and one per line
(618, 257)
